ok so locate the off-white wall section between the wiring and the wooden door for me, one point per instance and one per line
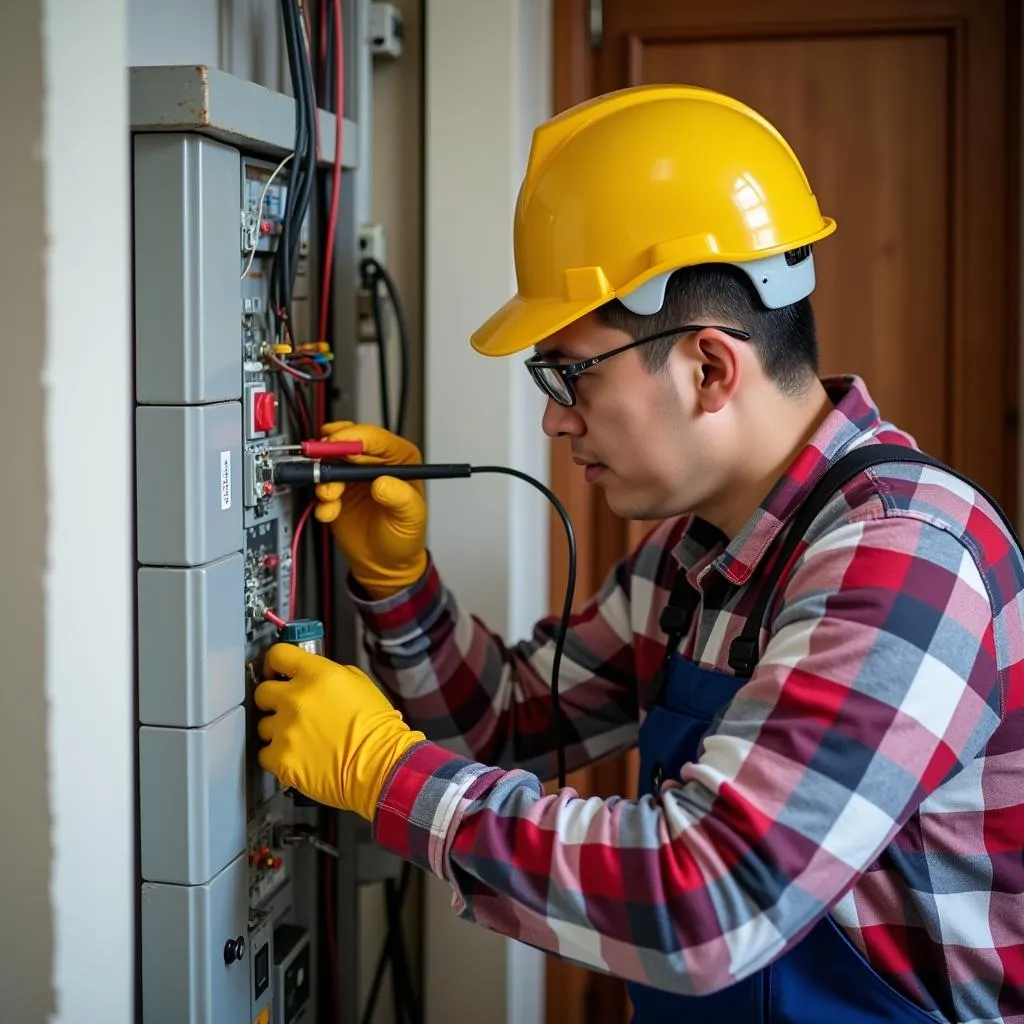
(488, 84)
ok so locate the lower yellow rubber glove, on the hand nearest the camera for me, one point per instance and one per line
(331, 734)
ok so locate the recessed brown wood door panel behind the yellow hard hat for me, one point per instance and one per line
(885, 275)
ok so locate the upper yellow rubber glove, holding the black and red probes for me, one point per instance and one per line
(380, 527)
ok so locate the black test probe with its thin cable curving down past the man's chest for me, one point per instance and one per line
(298, 473)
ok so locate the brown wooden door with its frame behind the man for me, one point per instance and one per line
(905, 114)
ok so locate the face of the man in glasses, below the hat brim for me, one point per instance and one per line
(638, 435)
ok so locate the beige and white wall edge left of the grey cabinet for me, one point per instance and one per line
(66, 719)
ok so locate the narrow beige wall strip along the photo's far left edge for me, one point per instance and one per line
(25, 841)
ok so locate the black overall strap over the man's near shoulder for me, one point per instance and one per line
(745, 651)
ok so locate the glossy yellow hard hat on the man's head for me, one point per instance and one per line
(625, 189)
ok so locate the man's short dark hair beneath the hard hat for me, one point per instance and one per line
(784, 339)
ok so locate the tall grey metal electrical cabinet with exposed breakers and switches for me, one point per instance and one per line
(228, 919)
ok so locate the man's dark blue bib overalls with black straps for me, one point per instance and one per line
(824, 979)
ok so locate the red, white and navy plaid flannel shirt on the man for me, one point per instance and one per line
(871, 769)
